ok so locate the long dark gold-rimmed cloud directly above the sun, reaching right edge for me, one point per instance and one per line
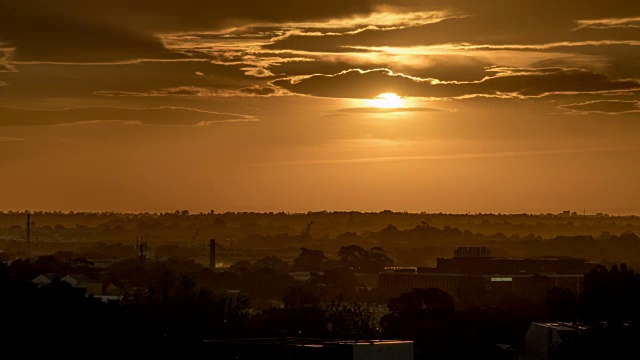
(504, 83)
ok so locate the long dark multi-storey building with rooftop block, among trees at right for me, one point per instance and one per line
(475, 268)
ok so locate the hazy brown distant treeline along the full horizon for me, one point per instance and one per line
(410, 239)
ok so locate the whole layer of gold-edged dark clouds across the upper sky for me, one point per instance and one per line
(434, 49)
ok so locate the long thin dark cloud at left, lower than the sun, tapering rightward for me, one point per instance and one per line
(91, 115)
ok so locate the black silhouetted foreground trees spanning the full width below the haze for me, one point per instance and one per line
(170, 307)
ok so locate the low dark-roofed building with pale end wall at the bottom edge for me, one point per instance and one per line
(310, 349)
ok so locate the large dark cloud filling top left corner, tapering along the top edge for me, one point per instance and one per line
(78, 31)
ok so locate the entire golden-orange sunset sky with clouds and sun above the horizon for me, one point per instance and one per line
(503, 106)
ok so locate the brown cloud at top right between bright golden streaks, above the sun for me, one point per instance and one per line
(493, 22)
